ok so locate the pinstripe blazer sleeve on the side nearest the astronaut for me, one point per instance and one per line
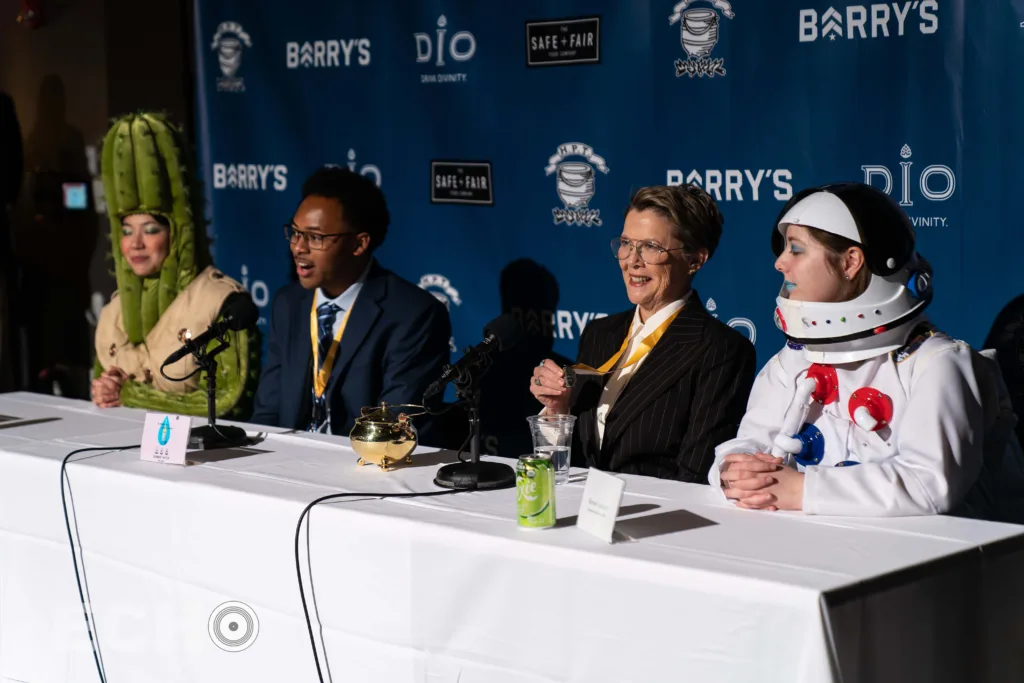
(718, 405)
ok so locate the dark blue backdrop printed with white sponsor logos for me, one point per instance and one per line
(507, 138)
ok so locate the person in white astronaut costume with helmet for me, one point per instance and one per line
(869, 411)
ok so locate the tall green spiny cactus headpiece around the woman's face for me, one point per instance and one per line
(145, 172)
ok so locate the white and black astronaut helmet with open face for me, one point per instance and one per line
(900, 286)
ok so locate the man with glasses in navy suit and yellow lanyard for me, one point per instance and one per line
(350, 333)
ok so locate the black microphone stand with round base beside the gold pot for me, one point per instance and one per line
(474, 475)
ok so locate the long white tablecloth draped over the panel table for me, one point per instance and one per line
(449, 589)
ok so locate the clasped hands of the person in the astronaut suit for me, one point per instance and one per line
(760, 482)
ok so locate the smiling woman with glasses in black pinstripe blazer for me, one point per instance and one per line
(672, 381)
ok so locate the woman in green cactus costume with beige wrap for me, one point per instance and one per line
(166, 286)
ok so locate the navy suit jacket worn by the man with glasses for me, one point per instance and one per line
(396, 345)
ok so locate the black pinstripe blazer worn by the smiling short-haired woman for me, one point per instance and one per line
(688, 397)
